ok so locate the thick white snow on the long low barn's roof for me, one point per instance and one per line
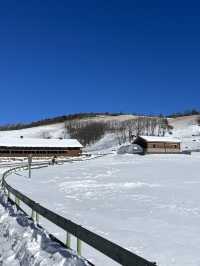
(31, 142)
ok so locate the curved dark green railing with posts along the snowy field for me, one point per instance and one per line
(108, 248)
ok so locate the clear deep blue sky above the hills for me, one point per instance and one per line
(60, 57)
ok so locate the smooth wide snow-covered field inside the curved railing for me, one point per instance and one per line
(148, 204)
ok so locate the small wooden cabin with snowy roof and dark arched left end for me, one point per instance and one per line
(151, 144)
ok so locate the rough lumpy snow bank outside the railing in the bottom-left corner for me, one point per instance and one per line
(23, 243)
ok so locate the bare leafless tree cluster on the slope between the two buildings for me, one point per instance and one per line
(88, 131)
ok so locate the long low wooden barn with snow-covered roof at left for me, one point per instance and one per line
(22, 147)
